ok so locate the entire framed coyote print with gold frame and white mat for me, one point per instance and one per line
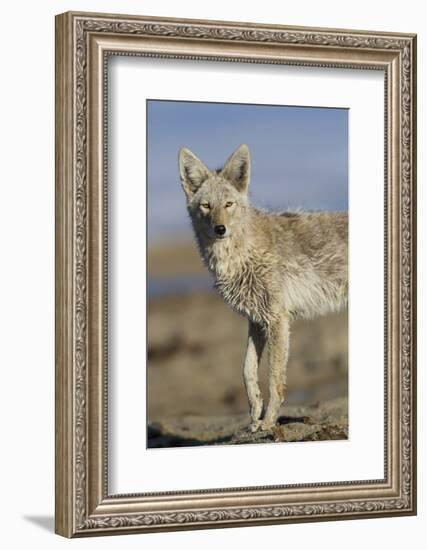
(235, 274)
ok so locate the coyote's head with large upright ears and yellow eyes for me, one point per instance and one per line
(216, 200)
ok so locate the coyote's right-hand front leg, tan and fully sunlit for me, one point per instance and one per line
(278, 349)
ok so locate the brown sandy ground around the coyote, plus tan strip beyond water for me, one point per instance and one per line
(196, 347)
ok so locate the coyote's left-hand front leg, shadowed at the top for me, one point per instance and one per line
(256, 343)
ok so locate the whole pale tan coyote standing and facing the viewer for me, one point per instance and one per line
(270, 267)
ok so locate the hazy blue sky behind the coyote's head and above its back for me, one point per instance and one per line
(299, 156)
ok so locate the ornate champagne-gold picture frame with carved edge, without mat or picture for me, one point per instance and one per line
(84, 506)
